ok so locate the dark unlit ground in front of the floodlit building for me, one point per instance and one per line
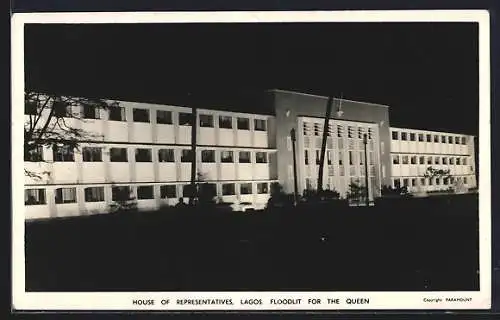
(418, 244)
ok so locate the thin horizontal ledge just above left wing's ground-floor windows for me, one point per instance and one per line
(149, 183)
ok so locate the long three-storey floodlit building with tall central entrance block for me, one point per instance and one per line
(144, 149)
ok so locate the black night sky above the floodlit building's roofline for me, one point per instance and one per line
(427, 73)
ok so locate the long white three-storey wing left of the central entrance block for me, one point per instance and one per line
(146, 149)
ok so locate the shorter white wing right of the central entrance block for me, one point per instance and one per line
(414, 151)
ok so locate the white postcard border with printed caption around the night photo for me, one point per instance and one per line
(22, 300)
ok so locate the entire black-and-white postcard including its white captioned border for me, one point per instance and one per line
(252, 162)
